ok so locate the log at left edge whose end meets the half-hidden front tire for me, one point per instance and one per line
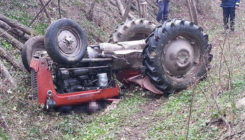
(11, 39)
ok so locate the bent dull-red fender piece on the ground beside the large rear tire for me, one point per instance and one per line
(145, 82)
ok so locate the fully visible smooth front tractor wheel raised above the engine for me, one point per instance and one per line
(65, 42)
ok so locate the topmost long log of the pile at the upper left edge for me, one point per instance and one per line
(17, 25)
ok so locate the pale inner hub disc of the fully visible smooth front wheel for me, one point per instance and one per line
(67, 42)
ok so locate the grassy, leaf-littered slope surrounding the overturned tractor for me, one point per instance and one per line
(141, 114)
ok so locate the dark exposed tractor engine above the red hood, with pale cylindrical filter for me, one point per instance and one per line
(68, 80)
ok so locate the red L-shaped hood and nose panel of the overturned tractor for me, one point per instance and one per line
(45, 84)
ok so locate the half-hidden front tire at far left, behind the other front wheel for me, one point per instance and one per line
(31, 46)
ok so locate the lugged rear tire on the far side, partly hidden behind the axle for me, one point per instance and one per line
(136, 29)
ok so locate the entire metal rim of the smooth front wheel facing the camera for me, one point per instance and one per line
(69, 42)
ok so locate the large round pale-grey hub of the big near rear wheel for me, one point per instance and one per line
(178, 58)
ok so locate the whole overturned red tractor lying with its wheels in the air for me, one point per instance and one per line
(66, 71)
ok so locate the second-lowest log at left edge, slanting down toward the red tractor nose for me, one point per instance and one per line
(9, 58)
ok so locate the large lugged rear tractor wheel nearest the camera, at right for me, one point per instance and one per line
(177, 55)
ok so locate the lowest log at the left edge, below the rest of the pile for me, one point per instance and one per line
(7, 81)
